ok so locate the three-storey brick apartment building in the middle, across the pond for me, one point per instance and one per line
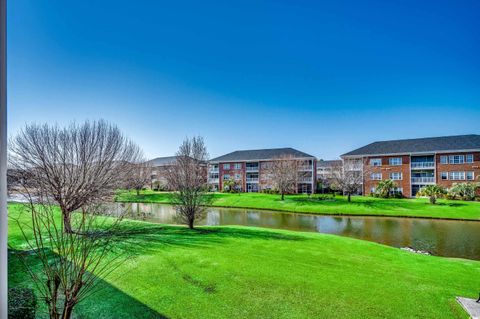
(249, 168)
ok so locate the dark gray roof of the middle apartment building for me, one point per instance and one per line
(264, 154)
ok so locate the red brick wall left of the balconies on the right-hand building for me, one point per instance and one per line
(385, 170)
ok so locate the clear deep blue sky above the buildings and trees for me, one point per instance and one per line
(322, 76)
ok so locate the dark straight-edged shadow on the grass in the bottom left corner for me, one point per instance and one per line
(106, 302)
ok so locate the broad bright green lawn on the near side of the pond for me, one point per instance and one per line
(236, 272)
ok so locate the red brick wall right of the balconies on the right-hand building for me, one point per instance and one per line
(466, 167)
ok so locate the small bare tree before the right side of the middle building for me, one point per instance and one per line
(283, 172)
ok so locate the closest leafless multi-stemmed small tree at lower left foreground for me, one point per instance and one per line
(70, 262)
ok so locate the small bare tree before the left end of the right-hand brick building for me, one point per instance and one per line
(347, 179)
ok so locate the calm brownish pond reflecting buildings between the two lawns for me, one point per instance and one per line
(449, 238)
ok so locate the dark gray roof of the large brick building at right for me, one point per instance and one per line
(420, 145)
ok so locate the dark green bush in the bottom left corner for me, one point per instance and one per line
(22, 303)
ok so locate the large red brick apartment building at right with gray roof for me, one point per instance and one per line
(415, 163)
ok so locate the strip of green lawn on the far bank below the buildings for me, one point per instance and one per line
(303, 204)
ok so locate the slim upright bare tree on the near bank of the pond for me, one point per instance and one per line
(187, 177)
